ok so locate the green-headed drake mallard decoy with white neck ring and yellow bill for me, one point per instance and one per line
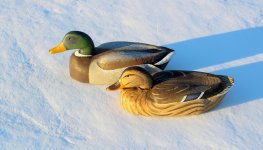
(105, 63)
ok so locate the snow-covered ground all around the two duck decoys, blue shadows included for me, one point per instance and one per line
(41, 107)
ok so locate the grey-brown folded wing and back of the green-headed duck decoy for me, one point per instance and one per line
(131, 54)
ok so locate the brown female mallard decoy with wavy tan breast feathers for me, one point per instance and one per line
(170, 93)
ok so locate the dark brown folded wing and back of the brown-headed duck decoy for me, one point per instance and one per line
(183, 86)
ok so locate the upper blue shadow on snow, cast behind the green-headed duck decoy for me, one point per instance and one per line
(216, 49)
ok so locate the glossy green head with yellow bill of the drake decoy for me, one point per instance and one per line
(75, 40)
